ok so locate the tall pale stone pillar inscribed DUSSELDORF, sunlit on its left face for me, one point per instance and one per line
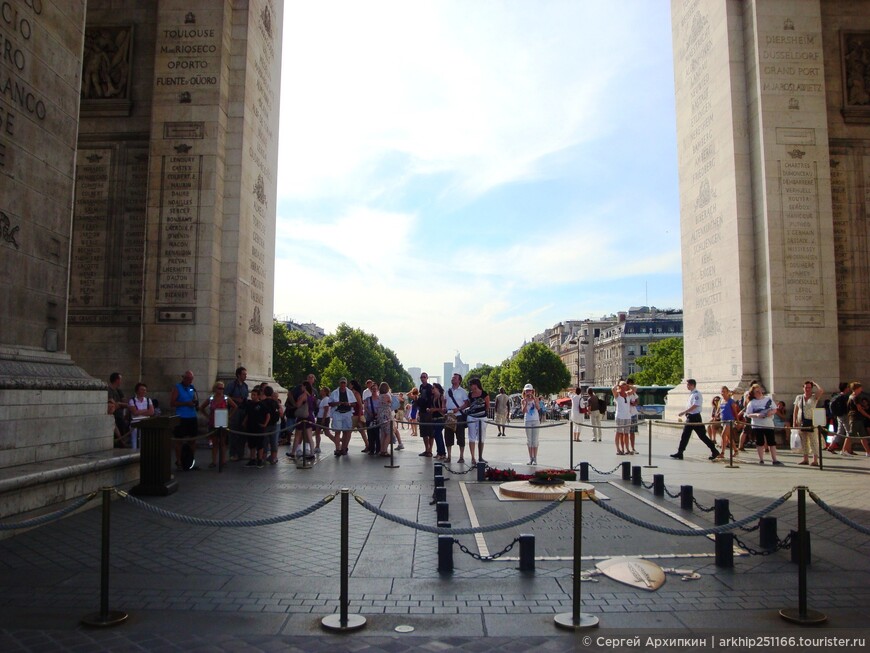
(755, 200)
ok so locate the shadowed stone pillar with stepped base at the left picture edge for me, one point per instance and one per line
(52, 413)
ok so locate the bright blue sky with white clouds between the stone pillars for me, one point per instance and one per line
(458, 176)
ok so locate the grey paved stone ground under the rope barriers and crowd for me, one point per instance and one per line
(202, 588)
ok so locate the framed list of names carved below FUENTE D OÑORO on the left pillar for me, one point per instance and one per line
(181, 184)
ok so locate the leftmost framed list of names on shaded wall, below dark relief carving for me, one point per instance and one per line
(90, 251)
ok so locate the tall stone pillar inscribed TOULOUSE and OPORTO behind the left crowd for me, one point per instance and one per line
(212, 187)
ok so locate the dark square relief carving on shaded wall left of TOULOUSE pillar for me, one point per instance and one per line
(106, 63)
